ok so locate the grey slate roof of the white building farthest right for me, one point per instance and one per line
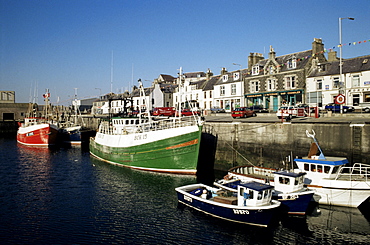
(353, 65)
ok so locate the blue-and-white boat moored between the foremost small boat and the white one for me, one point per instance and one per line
(288, 186)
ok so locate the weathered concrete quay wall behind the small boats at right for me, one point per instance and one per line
(266, 140)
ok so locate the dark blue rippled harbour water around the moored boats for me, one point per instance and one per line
(65, 196)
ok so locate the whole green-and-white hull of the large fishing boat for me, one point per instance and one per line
(160, 151)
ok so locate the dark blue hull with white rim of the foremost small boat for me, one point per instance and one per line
(257, 216)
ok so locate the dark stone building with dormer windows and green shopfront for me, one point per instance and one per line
(280, 80)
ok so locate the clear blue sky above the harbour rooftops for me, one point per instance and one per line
(67, 44)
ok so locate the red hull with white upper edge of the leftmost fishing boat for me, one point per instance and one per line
(38, 135)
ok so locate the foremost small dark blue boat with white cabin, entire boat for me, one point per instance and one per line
(251, 204)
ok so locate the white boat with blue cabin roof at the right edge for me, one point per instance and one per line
(334, 181)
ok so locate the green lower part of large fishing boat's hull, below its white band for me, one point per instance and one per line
(172, 155)
